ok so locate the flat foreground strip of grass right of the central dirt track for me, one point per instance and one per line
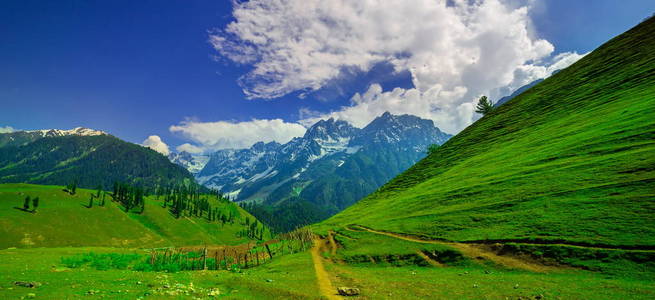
(477, 282)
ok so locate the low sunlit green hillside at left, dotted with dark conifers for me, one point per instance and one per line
(64, 220)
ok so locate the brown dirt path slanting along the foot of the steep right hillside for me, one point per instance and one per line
(469, 250)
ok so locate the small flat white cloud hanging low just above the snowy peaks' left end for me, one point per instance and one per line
(225, 135)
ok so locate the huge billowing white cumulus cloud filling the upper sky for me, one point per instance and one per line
(454, 50)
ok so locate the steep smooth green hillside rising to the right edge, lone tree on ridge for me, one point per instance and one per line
(570, 160)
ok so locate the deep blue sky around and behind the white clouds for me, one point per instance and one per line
(135, 68)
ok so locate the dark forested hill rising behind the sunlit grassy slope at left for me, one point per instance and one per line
(92, 160)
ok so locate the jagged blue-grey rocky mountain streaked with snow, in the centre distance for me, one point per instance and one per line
(273, 172)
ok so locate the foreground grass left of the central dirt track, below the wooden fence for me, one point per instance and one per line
(270, 281)
